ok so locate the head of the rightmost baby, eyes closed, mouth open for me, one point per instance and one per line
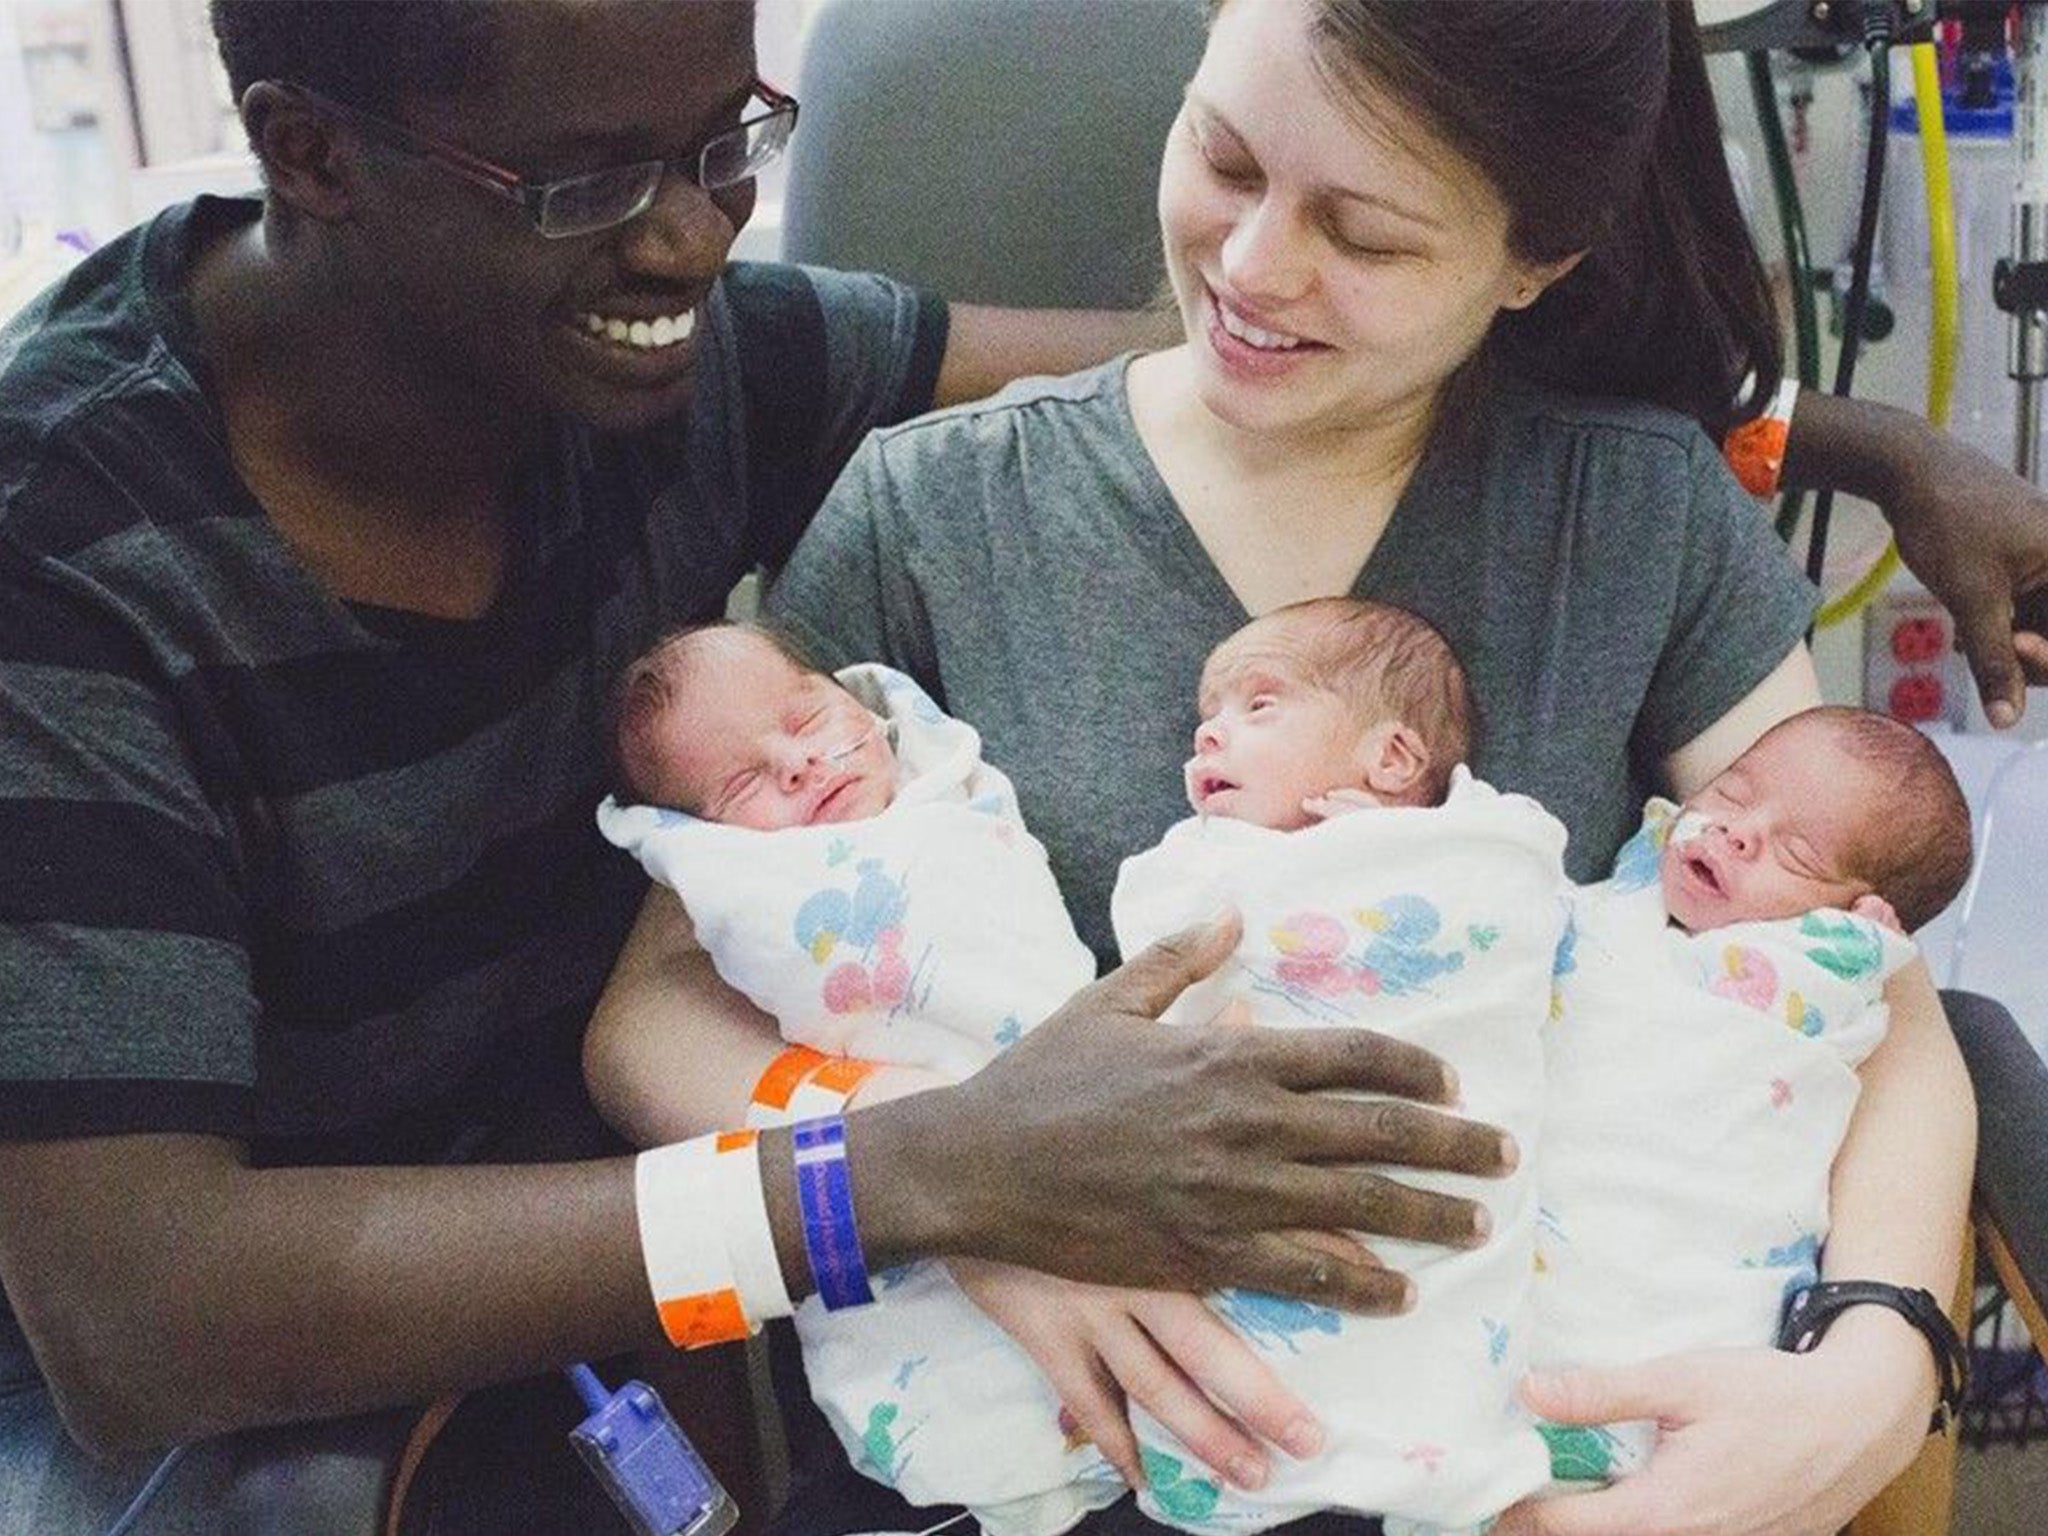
(1826, 810)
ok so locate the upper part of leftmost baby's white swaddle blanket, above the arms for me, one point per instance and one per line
(929, 937)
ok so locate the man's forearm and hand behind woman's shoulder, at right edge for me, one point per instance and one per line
(1973, 531)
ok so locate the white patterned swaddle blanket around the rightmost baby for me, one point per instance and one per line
(1701, 1086)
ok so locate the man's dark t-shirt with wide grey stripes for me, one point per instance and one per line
(310, 873)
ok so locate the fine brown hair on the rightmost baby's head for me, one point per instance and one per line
(1920, 855)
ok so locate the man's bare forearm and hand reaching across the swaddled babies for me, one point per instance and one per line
(173, 1291)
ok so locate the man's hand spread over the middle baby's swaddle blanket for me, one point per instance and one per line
(1111, 1150)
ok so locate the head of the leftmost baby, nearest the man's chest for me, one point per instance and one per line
(734, 726)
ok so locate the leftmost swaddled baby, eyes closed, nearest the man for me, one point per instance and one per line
(861, 873)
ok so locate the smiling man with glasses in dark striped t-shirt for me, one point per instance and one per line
(325, 523)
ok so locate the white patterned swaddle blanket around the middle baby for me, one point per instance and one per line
(1437, 927)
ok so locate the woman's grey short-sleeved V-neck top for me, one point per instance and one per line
(1605, 581)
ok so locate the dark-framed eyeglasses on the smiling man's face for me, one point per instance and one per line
(599, 200)
